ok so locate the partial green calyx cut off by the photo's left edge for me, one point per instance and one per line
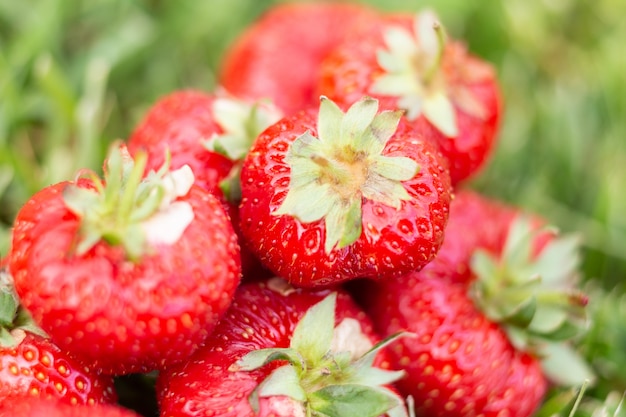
(14, 319)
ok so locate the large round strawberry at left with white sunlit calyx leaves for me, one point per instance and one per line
(128, 274)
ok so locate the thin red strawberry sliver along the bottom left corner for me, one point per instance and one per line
(28, 407)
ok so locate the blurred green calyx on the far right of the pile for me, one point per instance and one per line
(534, 298)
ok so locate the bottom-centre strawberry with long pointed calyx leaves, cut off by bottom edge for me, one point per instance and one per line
(281, 351)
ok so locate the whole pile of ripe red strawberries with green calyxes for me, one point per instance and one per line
(299, 242)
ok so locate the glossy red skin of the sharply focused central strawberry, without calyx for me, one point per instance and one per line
(411, 236)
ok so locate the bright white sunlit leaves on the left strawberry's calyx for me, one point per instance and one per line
(168, 224)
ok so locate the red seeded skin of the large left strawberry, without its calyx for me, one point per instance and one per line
(115, 315)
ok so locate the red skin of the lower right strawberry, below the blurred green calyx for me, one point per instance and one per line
(458, 363)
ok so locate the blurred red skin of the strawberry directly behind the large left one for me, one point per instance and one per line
(179, 122)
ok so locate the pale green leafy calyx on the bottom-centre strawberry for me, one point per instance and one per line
(328, 380)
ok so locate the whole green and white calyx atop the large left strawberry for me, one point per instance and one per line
(128, 209)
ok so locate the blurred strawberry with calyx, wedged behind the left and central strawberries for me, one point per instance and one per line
(211, 133)
